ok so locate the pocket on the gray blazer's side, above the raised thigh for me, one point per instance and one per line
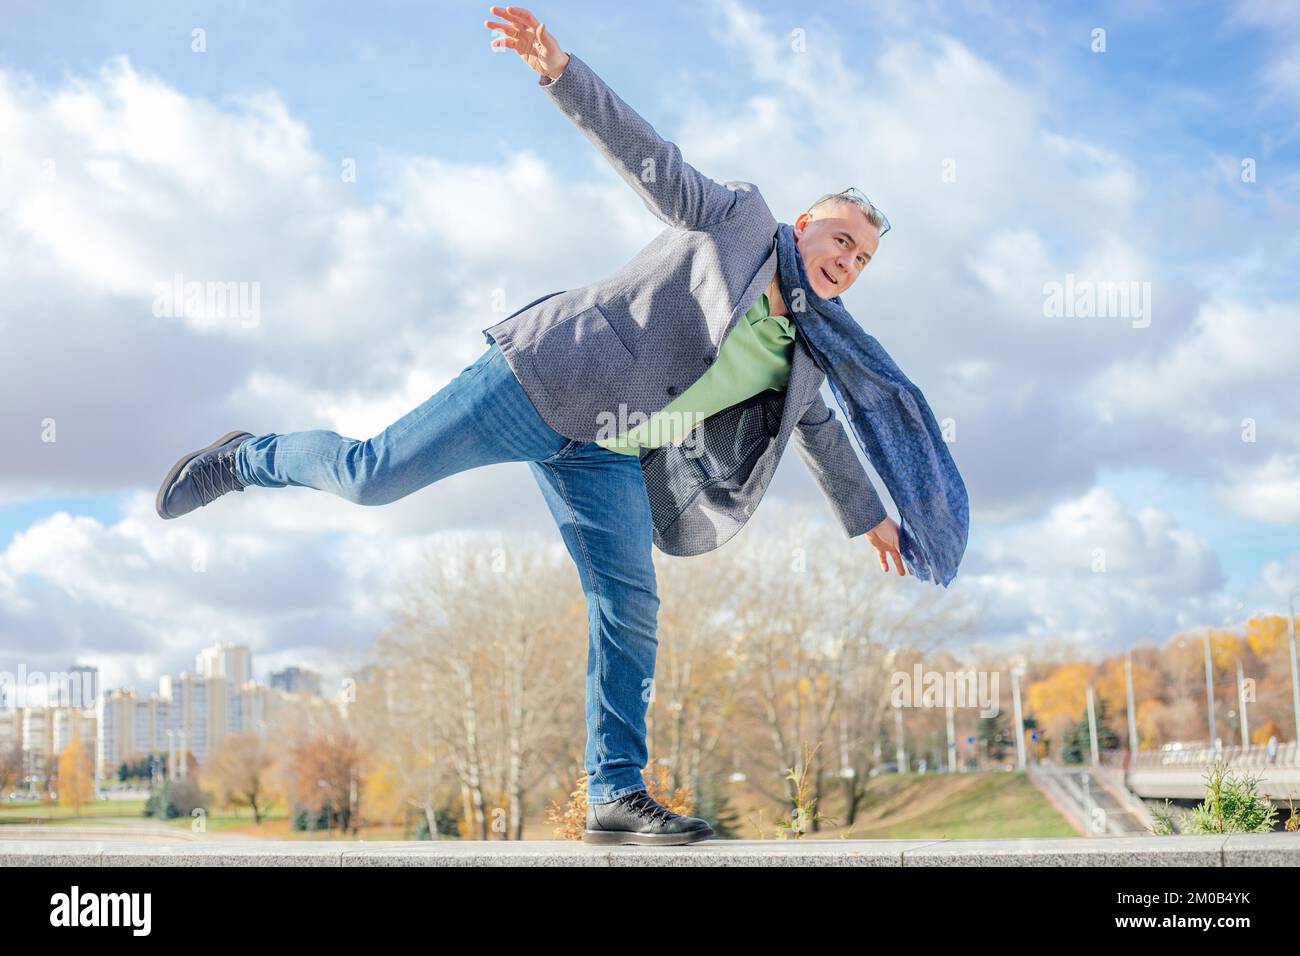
(578, 352)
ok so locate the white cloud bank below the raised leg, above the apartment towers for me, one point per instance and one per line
(140, 596)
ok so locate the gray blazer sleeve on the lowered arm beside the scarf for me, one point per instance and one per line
(825, 448)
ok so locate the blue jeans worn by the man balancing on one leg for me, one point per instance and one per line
(597, 498)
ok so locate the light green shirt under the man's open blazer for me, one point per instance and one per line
(756, 356)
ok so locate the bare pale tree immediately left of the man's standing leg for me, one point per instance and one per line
(478, 691)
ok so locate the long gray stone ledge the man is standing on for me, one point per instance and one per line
(1240, 850)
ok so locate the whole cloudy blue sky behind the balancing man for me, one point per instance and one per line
(1011, 145)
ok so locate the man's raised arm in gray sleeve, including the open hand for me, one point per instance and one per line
(671, 188)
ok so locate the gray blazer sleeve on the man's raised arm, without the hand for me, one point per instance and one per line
(671, 188)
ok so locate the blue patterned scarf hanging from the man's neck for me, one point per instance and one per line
(891, 419)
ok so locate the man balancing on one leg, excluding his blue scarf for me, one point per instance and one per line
(652, 409)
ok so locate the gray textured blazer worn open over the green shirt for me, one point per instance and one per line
(649, 331)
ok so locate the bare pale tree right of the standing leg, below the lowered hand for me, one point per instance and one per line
(821, 641)
